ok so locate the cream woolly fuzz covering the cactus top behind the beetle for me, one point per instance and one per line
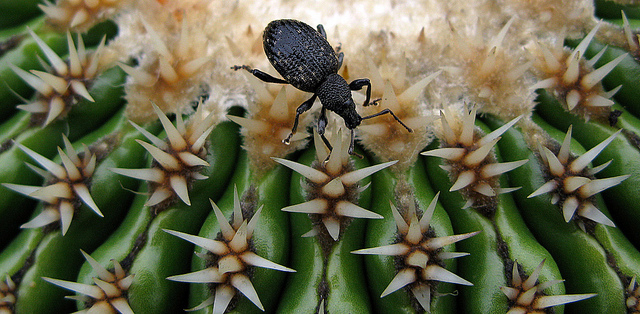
(479, 47)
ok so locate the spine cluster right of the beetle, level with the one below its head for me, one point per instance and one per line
(469, 158)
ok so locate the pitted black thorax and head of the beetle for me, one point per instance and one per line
(335, 95)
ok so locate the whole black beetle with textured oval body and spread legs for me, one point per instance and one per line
(306, 60)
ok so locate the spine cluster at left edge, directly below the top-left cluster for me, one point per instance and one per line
(67, 186)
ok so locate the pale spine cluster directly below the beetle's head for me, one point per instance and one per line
(332, 187)
